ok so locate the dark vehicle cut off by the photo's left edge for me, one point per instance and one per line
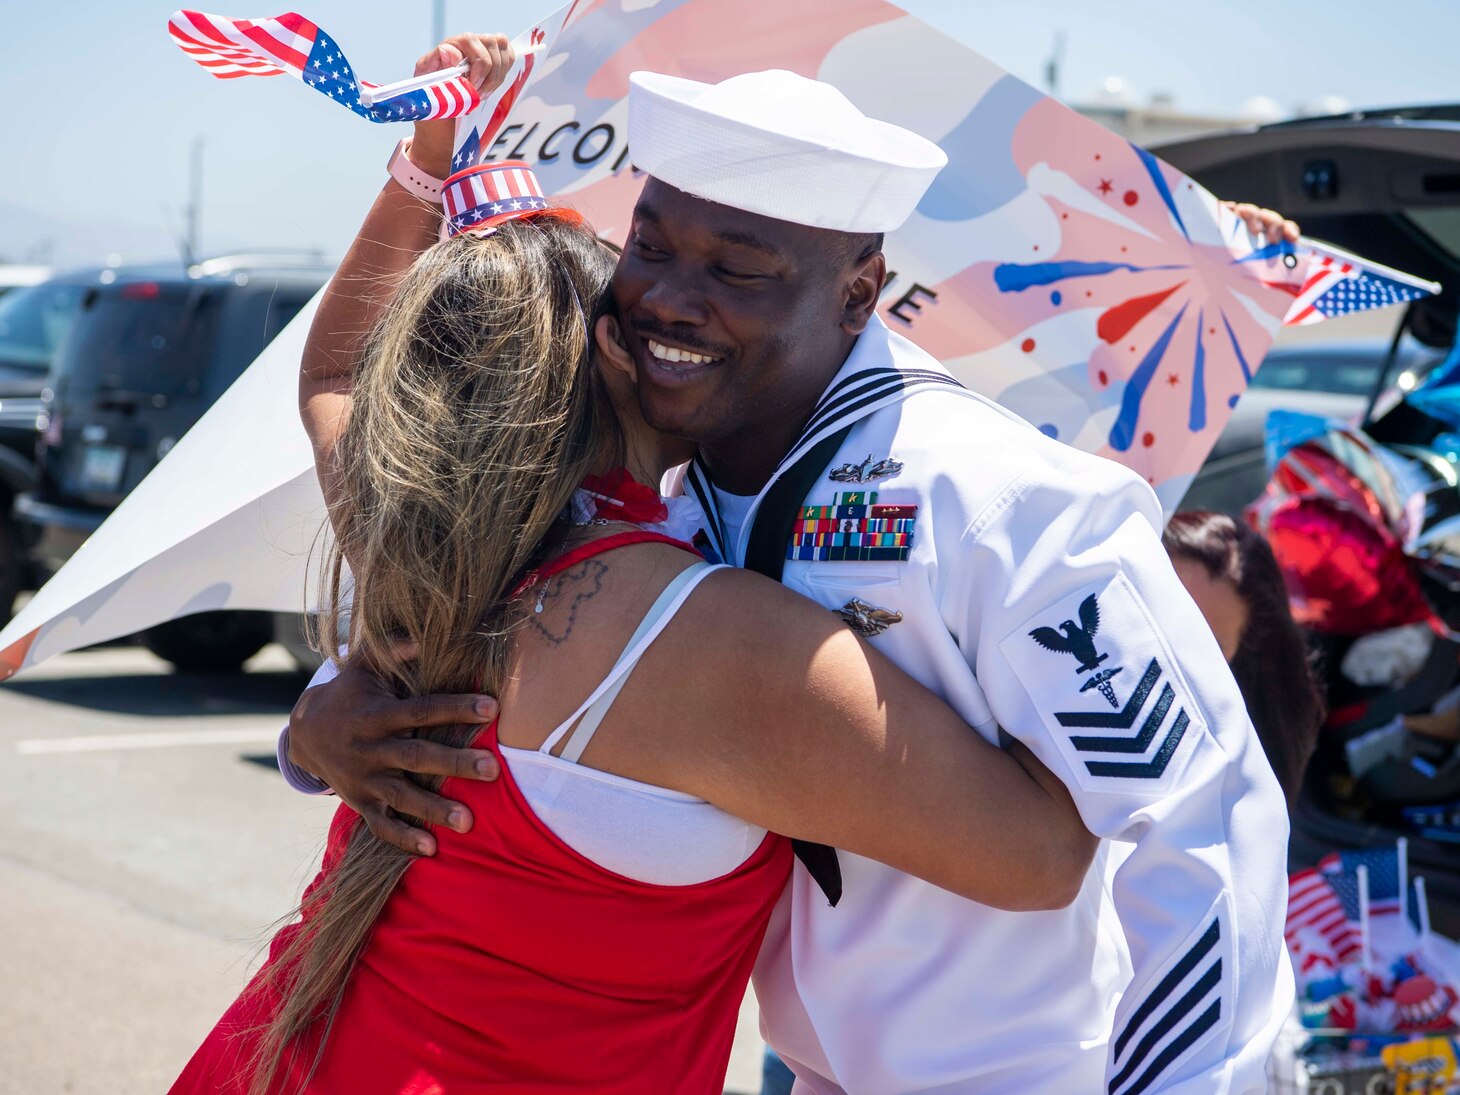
(33, 323)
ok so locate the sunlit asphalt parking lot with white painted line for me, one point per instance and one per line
(148, 848)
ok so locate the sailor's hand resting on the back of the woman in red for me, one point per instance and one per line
(360, 738)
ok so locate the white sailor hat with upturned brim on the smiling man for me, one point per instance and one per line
(780, 145)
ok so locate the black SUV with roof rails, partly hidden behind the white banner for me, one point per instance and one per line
(150, 353)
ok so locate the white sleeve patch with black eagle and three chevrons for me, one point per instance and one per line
(1109, 691)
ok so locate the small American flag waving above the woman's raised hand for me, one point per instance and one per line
(291, 46)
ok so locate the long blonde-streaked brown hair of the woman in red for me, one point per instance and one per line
(475, 415)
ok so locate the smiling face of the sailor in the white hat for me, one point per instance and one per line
(735, 322)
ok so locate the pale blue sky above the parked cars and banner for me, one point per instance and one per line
(103, 109)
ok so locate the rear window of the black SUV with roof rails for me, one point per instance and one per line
(141, 338)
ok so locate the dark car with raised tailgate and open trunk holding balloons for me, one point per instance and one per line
(1386, 186)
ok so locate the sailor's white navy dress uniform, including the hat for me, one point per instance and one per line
(1026, 583)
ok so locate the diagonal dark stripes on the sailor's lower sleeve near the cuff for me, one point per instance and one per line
(1182, 1011)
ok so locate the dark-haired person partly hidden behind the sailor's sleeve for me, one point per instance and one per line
(1233, 577)
